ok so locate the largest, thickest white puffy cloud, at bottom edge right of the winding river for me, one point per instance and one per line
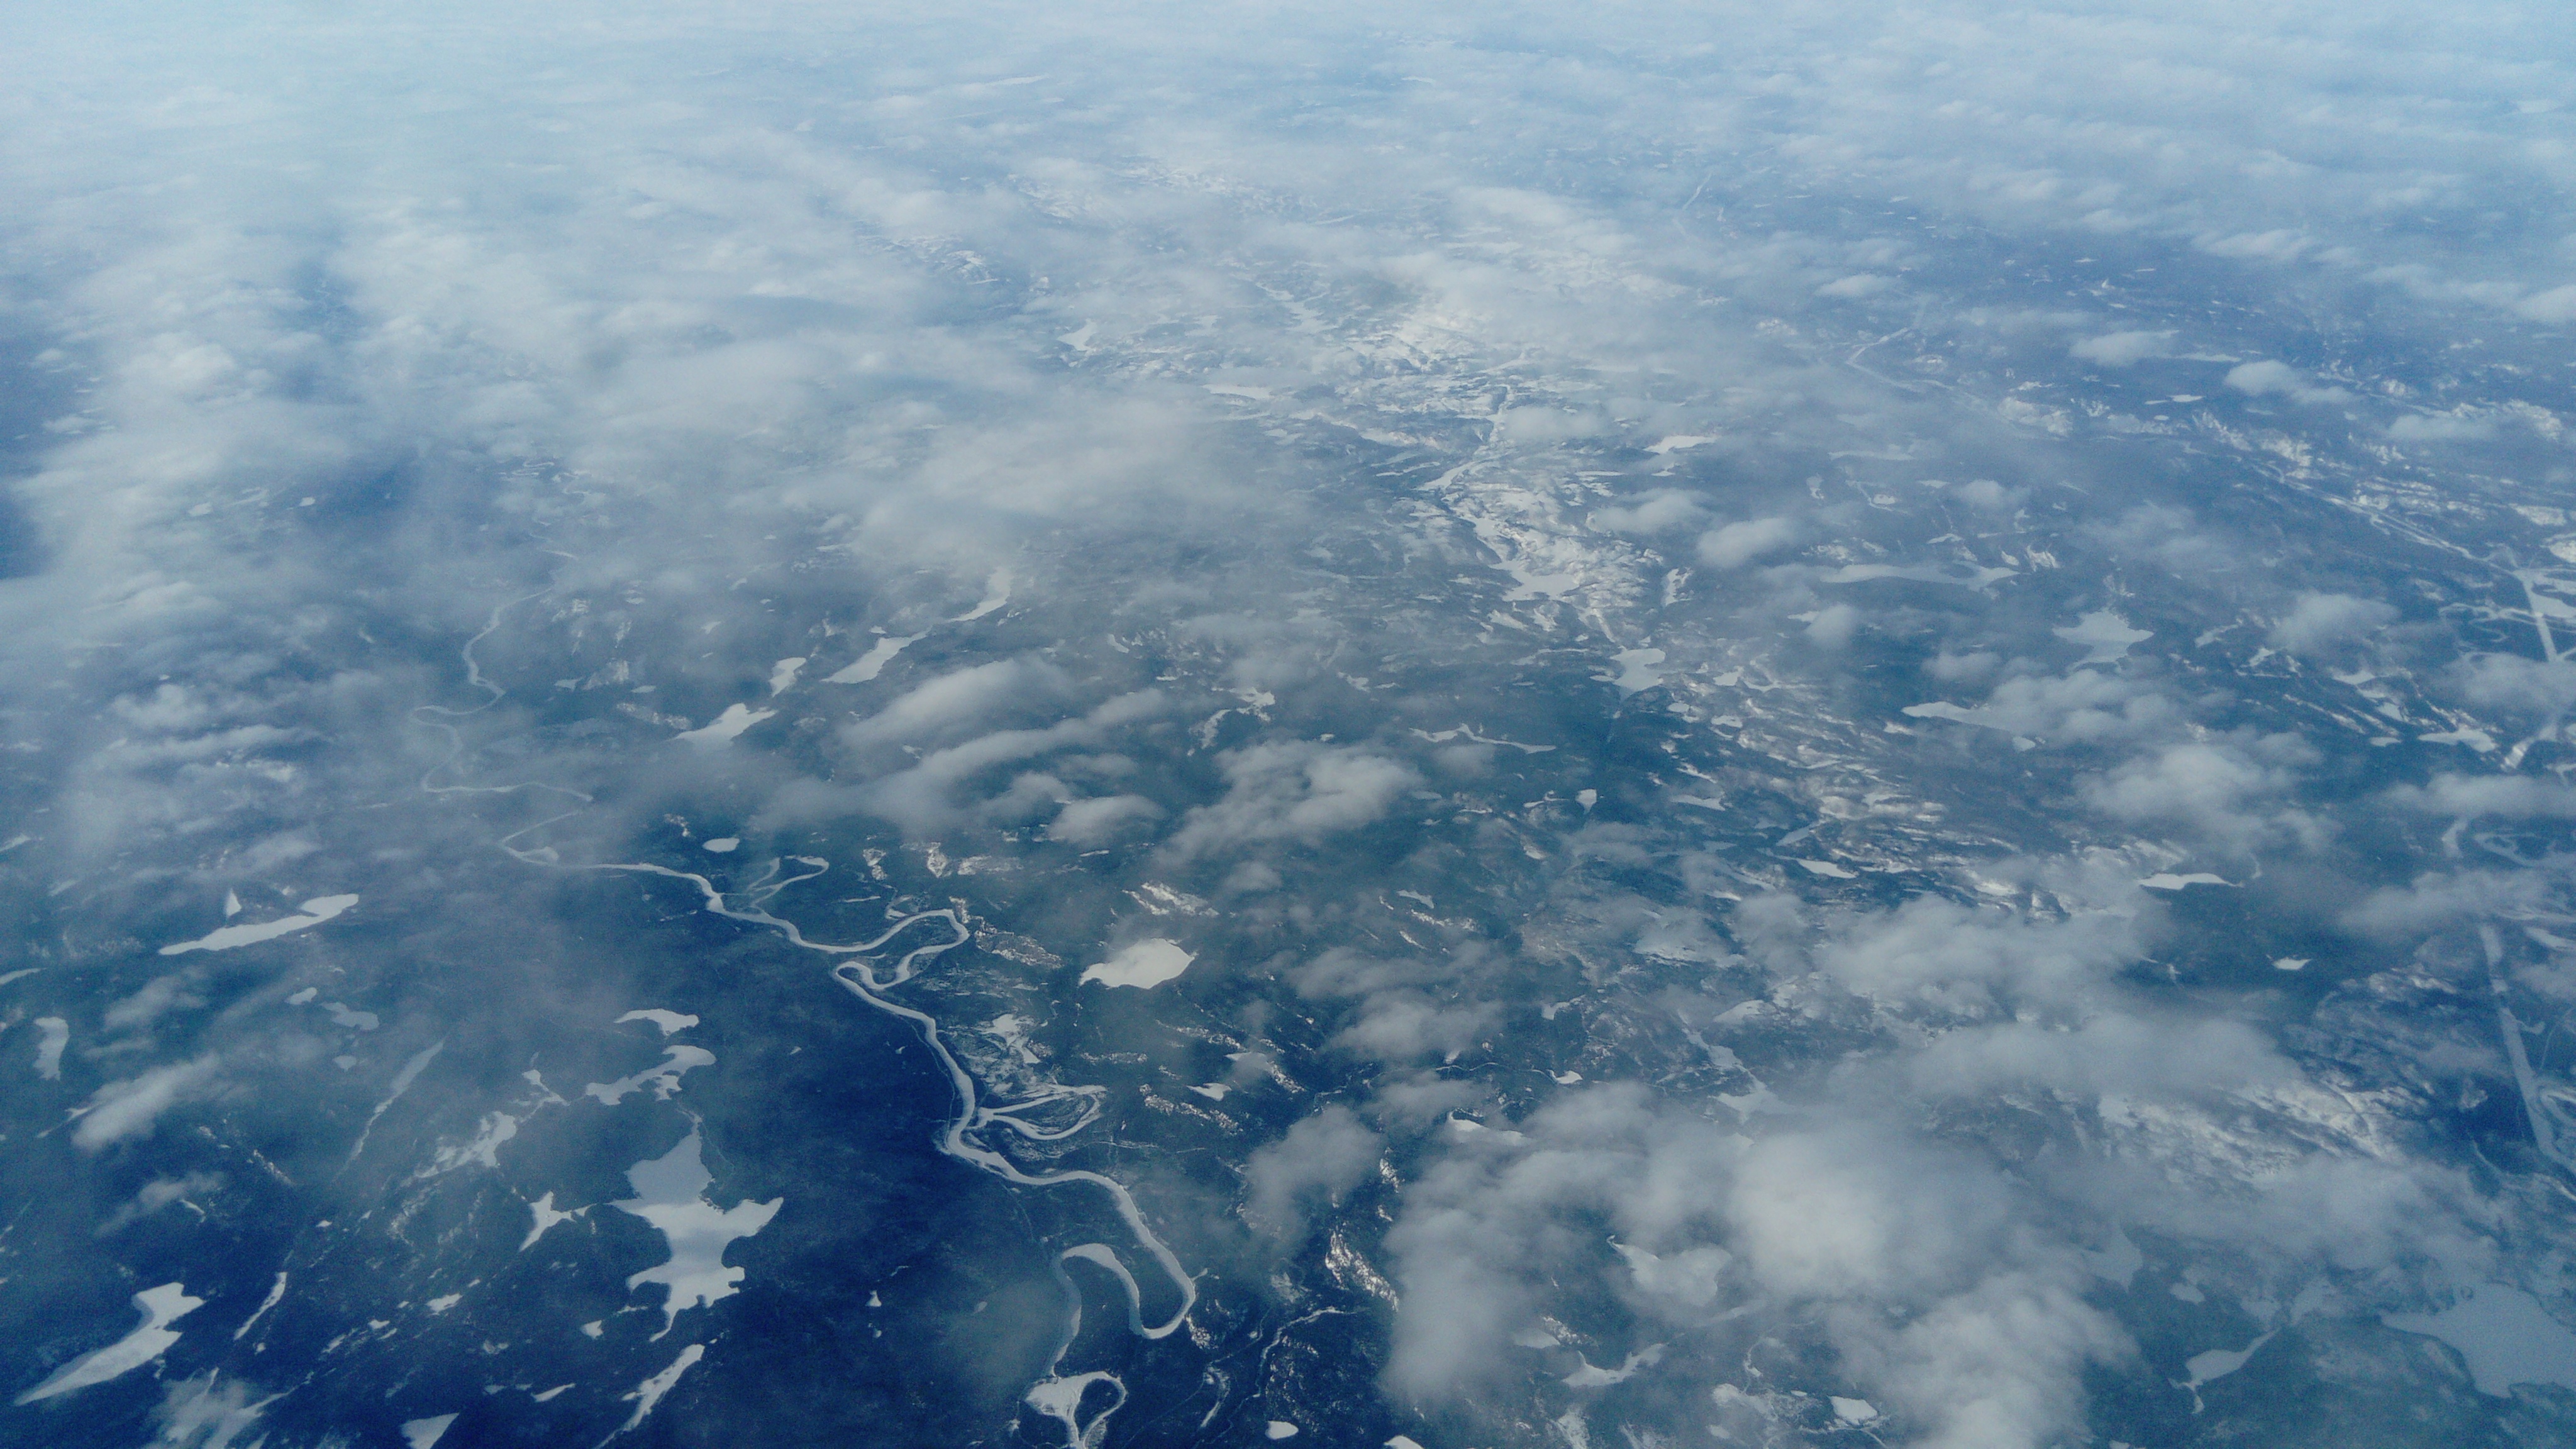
(1825, 1218)
